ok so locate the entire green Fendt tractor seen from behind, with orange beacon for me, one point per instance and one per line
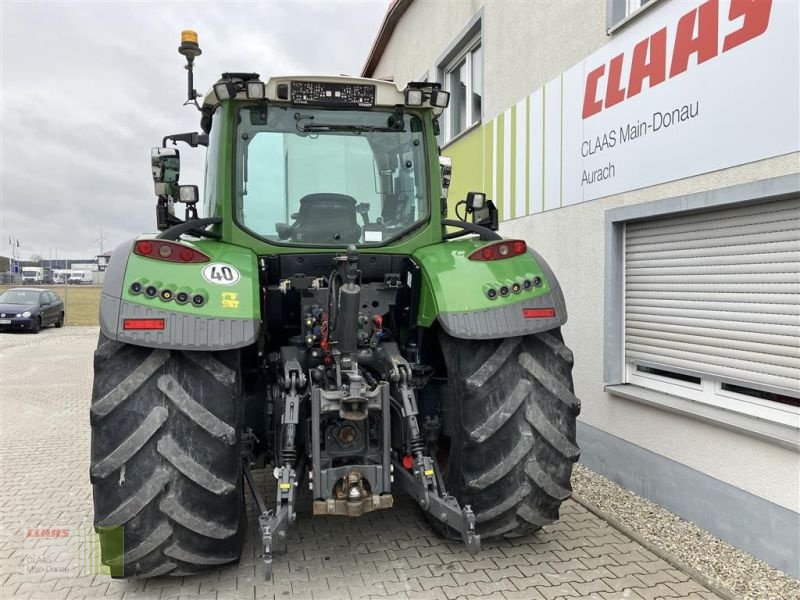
(318, 314)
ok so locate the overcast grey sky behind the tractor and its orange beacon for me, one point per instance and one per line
(89, 88)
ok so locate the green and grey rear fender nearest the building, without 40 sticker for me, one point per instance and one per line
(455, 291)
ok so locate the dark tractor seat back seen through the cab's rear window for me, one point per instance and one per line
(327, 218)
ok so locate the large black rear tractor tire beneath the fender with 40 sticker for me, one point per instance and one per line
(165, 463)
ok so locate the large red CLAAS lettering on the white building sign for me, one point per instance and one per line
(649, 59)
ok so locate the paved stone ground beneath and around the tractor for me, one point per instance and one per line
(47, 549)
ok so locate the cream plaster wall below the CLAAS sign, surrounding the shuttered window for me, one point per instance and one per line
(761, 468)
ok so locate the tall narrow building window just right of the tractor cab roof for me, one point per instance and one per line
(463, 78)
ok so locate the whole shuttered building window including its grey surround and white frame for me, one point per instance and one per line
(704, 307)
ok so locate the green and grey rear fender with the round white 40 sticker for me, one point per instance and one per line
(228, 317)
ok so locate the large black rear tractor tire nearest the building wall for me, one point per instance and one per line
(513, 439)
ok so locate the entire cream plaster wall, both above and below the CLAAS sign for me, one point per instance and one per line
(555, 36)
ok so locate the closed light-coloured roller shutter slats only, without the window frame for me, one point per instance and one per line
(718, 294)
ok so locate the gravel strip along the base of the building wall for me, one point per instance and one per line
(721, 563)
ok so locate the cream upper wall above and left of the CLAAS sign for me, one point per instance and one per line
(512, 71)
